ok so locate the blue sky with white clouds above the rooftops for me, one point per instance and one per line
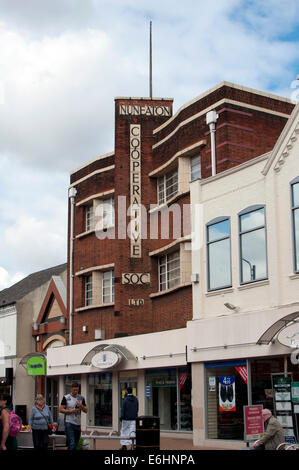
(62, 63)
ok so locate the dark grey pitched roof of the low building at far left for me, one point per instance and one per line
(20, 289)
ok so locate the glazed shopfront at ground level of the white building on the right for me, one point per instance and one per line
(230, 385)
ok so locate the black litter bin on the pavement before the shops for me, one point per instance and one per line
(148, 433)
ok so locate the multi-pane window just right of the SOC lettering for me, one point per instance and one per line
(169, 271)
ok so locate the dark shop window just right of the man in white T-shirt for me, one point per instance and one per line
(100, 400)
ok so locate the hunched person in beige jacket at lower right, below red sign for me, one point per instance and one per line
(273, 435)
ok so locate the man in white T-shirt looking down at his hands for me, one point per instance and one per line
(71, 406)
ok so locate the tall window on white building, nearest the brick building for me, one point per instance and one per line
(219, 256)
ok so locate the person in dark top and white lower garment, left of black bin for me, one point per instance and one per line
(129, 413)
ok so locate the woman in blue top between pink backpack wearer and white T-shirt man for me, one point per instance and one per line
(40, 419)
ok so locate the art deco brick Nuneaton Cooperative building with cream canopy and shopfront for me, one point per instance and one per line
(133, 281)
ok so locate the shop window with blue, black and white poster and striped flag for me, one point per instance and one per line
(226, 392)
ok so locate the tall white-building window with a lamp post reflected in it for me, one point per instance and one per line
(253, 250)
